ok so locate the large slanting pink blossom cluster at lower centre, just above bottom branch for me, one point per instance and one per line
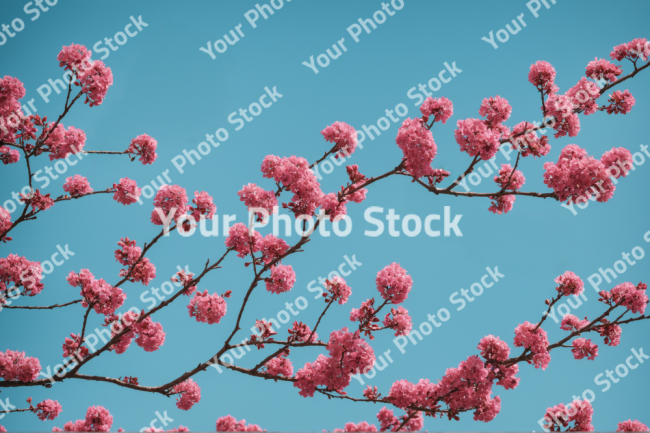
(349, 354)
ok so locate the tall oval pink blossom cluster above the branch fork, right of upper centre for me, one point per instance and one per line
(418, 147)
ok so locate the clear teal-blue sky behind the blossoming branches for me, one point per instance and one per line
(166, 87)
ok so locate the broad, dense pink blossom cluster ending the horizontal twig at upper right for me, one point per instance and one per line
(576, 177)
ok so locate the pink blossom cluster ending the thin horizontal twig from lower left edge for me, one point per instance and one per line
(104, 298)
